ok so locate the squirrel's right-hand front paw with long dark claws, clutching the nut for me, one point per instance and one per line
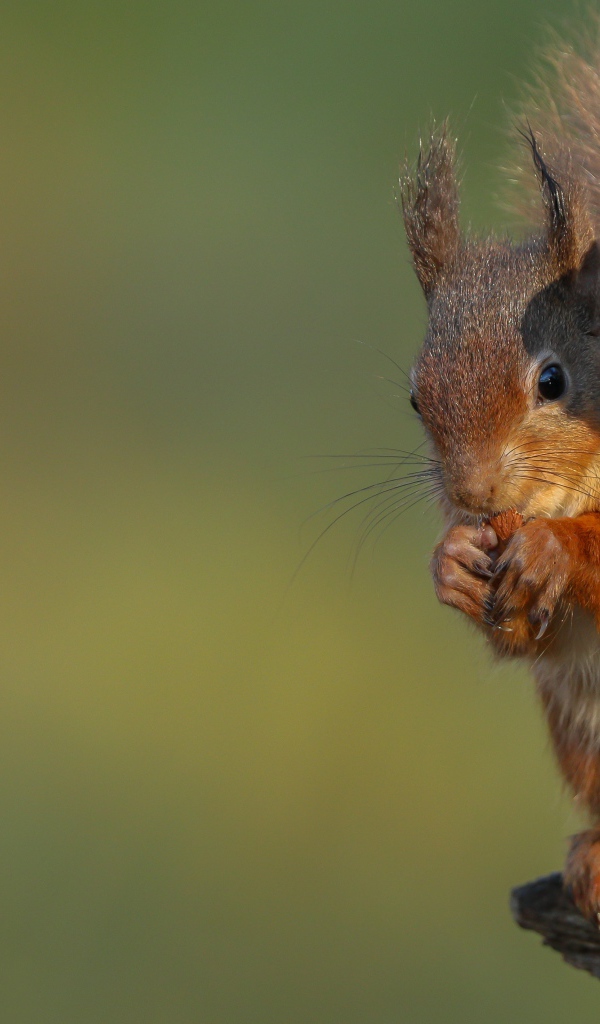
(529, 582)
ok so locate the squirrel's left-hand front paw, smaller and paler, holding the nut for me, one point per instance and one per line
(462, 570)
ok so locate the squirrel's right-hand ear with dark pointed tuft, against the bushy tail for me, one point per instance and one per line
(570, 229)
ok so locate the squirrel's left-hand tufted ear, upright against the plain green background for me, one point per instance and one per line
(430, 198)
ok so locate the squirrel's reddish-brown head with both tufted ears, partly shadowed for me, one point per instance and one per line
(508, 380)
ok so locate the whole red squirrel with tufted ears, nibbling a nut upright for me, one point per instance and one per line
(507, 386)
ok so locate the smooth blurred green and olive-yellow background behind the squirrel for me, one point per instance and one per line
(224, 800)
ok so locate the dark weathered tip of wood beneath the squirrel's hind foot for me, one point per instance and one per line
(544, 907)
